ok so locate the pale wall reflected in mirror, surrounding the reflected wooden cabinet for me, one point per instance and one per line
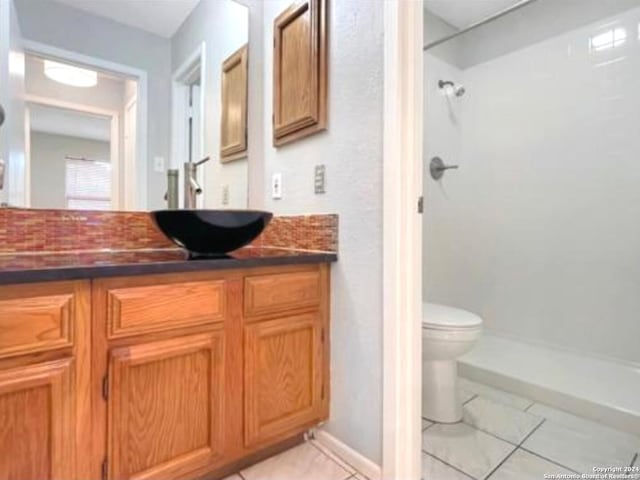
(224, 26)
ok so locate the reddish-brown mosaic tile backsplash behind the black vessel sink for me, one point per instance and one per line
(27, 231)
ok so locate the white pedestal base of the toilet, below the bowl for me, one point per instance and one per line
(440, 400)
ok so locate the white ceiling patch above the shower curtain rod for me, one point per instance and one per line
(462, 13)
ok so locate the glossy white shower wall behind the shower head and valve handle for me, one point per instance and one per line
(539, 229)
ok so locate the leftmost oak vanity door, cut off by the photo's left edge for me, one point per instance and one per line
(36, 422)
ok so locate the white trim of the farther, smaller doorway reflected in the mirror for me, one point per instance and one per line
(114, 139)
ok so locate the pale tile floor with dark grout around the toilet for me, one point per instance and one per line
(507, 437)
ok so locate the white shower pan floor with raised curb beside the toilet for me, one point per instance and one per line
(603, 391)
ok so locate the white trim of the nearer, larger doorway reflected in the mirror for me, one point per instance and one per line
(137, 74)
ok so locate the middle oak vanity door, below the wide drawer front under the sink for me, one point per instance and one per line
(165, 407)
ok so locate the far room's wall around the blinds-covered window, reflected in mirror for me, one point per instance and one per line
(48, 167)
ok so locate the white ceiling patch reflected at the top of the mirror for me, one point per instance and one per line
(160, 17)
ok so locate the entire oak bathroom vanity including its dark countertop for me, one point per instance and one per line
(161, 369)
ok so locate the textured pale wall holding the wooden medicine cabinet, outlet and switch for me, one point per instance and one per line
(351, 149)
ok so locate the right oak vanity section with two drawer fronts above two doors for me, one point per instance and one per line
(190, 379)
